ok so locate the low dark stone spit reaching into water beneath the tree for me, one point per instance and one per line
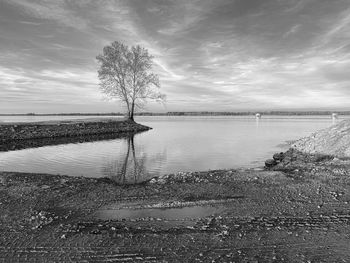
(10, 132)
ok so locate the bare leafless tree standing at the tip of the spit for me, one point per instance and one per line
(125, 73)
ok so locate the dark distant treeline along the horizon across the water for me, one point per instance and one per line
(193, 113)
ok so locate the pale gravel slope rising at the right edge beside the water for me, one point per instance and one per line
(334, 141)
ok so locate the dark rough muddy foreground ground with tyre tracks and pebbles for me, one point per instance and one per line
(298, 211)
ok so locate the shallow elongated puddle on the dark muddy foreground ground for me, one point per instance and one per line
(180, 213)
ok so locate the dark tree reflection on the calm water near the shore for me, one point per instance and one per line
(132, 167)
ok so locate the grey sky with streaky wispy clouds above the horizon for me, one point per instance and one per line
(210, 55)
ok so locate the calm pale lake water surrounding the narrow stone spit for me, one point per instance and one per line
(175, 144)
